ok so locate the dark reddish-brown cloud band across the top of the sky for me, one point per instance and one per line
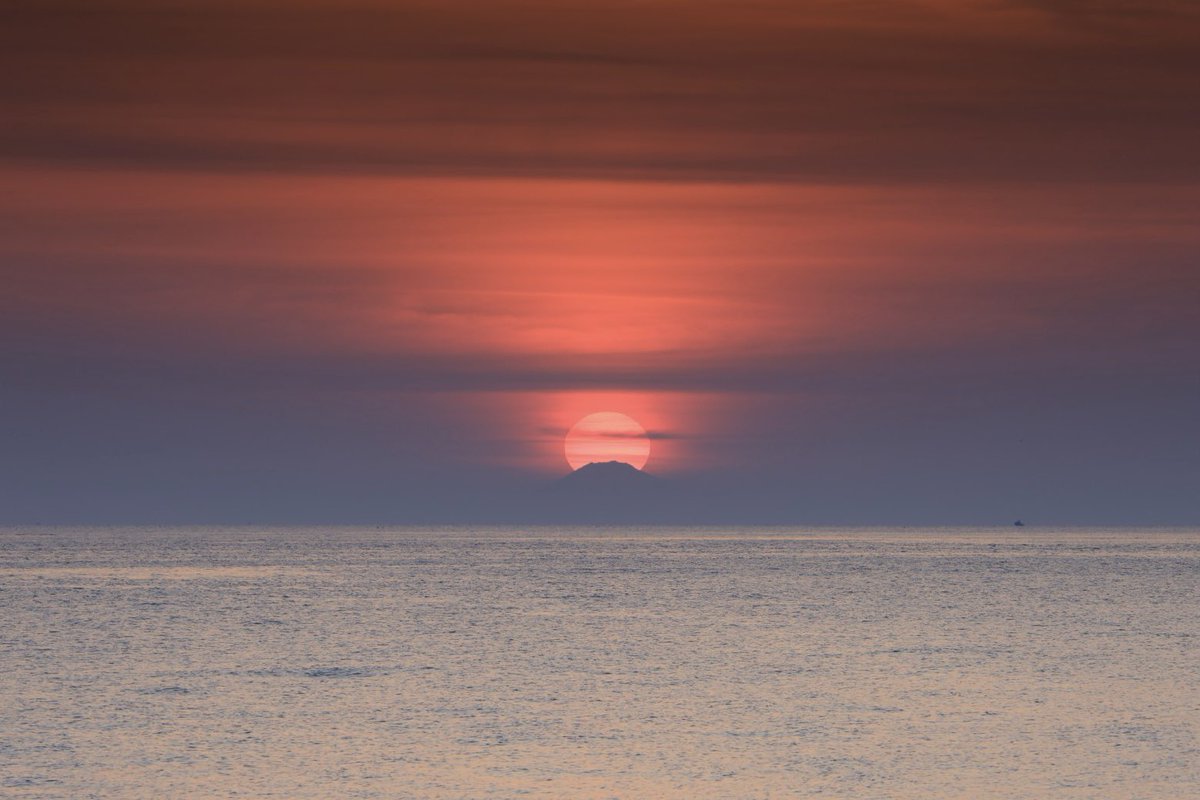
(794, 93)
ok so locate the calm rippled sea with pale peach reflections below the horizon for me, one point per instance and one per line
(465, 664)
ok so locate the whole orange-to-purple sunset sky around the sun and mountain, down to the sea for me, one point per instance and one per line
(855, 262)
